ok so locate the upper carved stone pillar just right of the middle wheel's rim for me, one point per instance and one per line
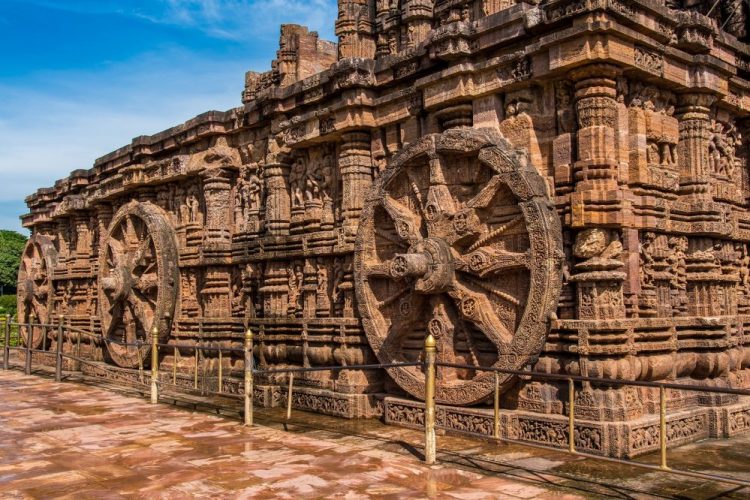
(218, 197)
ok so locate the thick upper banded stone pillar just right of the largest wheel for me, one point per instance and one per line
(596, 106)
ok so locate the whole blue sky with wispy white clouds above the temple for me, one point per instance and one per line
(80, 78)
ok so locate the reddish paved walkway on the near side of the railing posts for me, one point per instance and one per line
(77, 441)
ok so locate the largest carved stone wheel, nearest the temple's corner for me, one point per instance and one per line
(458, 238)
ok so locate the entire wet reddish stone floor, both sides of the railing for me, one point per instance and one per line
(78, 441)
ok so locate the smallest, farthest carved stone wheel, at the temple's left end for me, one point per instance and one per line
(35, 292)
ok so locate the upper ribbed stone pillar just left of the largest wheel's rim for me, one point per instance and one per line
(355, 164)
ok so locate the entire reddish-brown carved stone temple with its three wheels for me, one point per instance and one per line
(556, 185)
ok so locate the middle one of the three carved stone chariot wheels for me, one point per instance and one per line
(138, 278)
